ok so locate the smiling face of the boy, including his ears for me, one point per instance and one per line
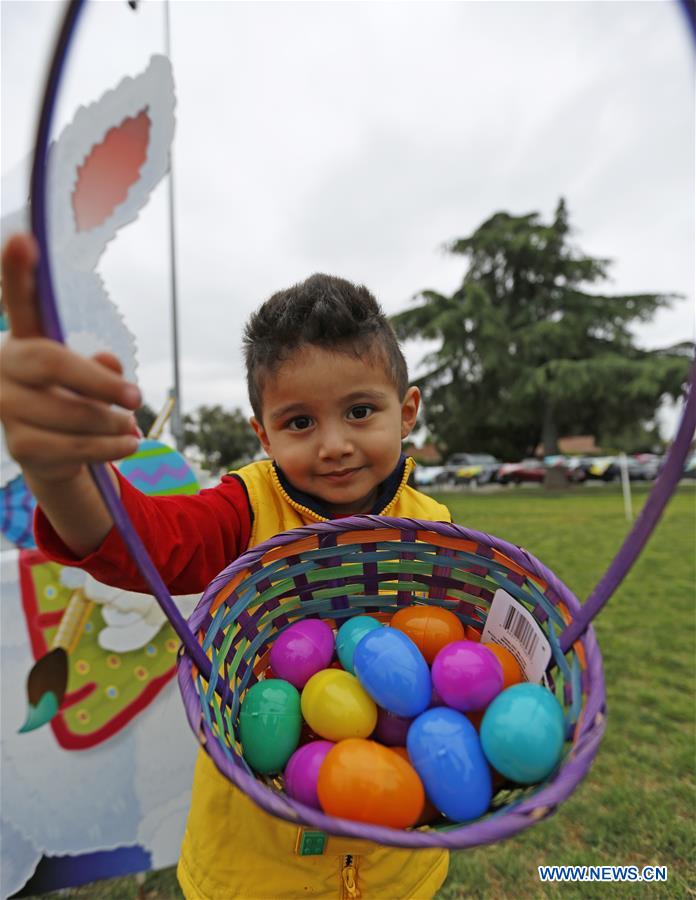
(334, 424)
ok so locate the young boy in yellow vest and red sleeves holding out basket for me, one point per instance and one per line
(329, 390)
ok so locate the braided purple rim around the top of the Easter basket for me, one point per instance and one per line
(496, 826)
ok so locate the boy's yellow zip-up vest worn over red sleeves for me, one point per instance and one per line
(232, 849)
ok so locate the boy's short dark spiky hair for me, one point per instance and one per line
(327, 312)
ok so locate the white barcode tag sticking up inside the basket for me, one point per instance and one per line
(515, 628)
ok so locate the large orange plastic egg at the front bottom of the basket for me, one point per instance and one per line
(366, 782)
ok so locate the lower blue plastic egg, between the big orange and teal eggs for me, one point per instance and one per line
(446, 752)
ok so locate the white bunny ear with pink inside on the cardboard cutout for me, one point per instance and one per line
(107, 161)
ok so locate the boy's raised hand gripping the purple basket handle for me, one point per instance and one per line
(56, 406)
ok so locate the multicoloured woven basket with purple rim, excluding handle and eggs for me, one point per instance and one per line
(373, 564)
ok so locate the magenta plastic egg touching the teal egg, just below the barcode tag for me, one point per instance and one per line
(467, 675)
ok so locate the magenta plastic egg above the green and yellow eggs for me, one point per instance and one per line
(301, 650)
